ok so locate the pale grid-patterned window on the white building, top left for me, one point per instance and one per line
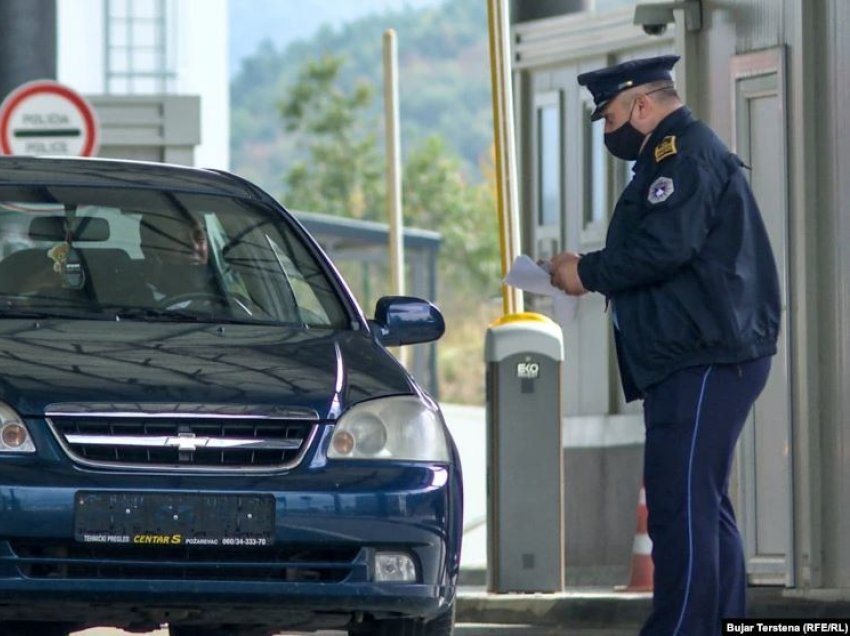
(139, 59)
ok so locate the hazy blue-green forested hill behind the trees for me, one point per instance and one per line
(444, 85)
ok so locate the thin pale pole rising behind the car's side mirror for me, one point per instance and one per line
(393, 150)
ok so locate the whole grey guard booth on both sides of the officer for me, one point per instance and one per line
(746, 72)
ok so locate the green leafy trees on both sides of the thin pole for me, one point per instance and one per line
(343, 175)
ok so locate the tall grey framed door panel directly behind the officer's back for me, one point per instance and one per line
(764, 456)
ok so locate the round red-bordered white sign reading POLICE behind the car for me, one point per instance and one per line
(44, 117)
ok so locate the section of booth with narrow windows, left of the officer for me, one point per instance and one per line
(569, 187)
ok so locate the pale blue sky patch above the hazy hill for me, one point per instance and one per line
(283, 21)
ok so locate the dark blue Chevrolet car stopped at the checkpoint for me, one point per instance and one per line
(198, 425)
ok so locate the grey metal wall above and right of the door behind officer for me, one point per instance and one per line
(816, 36)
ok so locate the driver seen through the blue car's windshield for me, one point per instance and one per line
(177, 263)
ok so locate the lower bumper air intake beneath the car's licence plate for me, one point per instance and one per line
(69, 560)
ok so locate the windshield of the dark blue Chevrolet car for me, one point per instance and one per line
(134, 254)
